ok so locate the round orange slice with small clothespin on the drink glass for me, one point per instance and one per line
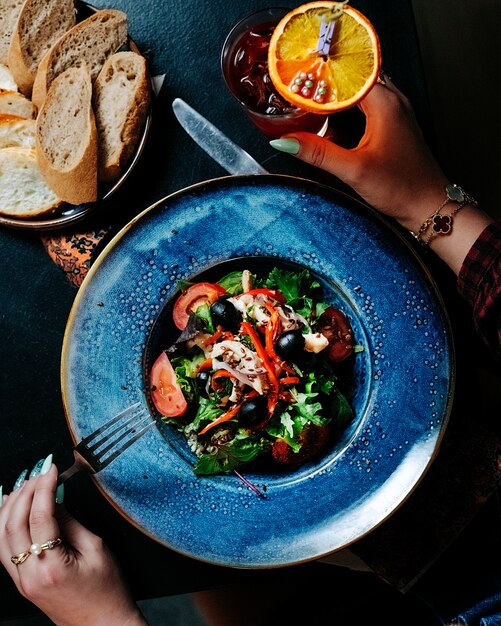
(329, 78)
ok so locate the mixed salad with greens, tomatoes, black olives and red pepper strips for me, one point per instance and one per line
(253, 376)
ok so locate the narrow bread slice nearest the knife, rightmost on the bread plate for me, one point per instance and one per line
(121, 102)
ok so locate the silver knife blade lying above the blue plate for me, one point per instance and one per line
(221, 148)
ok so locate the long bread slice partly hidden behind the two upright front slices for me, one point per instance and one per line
(91, 41)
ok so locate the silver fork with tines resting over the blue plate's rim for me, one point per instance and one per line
(101, 447)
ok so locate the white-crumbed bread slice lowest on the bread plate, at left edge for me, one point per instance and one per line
(23, 191)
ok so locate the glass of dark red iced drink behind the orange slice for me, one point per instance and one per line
(244, 62)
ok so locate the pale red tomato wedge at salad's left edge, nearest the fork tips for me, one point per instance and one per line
(165, 391)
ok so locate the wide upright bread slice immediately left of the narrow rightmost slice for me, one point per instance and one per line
(66, 137)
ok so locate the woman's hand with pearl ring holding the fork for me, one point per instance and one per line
(75, 583)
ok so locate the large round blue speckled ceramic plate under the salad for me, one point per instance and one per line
(402, 385)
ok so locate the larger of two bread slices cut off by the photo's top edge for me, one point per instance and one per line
(40, 24)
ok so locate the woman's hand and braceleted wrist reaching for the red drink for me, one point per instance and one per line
(393, 169)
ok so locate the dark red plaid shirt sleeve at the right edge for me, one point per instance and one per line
(479, 283)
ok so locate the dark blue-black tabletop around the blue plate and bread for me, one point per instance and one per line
(183, 41)
